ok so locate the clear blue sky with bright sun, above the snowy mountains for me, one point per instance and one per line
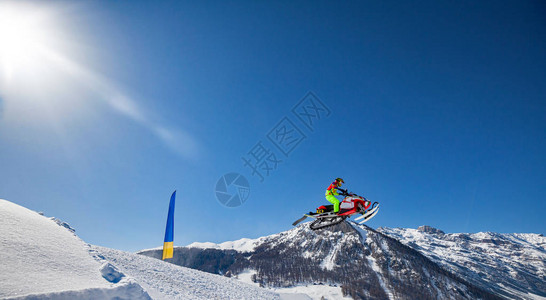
(438, 111)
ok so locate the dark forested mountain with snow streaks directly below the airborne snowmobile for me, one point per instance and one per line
(361, 261)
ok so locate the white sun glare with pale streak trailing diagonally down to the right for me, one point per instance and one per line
(43, 83)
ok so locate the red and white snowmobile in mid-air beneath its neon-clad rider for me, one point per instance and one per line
(351, 205)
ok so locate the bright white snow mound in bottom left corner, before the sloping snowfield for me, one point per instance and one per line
(42, 258)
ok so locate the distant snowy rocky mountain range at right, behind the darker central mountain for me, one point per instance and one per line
(511, 265)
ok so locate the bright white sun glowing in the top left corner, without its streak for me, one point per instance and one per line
(34, 57)
